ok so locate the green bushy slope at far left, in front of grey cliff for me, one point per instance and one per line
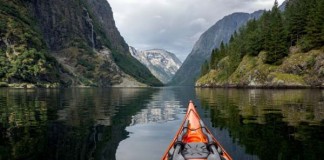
(22, 50)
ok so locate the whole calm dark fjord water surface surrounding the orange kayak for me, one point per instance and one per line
(139, 123)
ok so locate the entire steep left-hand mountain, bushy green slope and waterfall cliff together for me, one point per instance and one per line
(67, 43)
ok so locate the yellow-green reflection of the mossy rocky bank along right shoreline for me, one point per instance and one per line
(294, 105)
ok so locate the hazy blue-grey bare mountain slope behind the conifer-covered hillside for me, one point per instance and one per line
(212, 38)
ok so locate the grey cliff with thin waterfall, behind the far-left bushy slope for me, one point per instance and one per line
(83, 38)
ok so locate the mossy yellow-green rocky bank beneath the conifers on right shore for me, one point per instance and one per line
(298, 70)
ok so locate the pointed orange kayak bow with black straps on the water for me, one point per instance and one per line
(194, 141)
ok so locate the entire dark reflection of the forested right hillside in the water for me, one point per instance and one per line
(273, 124)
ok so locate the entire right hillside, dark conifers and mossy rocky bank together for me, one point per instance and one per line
(259, 54)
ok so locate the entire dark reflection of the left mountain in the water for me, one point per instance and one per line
(66, 124)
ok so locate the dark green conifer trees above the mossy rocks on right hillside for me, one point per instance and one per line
(301, 24)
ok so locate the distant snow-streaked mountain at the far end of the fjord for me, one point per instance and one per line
(161, 63)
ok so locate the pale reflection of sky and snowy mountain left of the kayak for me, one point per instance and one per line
(153, 127)
